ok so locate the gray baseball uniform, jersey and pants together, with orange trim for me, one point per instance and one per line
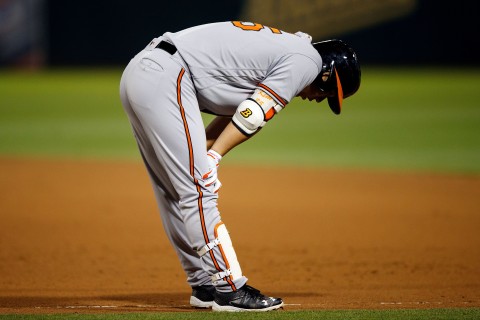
(210, 68)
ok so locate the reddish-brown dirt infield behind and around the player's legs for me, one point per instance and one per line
(86, 237)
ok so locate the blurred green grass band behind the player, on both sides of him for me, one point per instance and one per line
(401, 119)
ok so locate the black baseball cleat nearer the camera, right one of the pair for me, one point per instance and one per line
(245, 299)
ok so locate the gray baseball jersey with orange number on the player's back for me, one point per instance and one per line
(229, 60)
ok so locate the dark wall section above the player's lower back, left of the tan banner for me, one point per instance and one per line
(111, 32)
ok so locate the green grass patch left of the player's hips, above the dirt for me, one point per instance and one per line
(63, 113)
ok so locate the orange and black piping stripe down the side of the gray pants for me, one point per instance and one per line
(192, 173)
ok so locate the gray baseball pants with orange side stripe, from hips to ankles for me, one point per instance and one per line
(160, 101)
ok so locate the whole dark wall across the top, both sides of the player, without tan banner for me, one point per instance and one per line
(110, 32)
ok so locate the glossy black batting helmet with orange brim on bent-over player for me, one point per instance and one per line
(341, 63)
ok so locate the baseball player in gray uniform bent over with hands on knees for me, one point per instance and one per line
(245, 73)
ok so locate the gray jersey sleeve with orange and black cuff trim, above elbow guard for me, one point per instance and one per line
(290, 75)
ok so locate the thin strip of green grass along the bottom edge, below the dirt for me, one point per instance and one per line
(437, 314)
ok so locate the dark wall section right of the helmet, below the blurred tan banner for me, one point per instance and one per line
(437, 32)
